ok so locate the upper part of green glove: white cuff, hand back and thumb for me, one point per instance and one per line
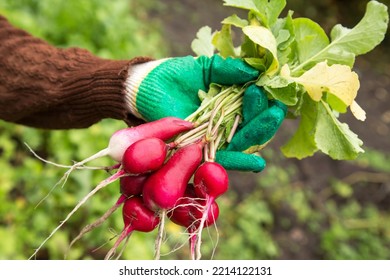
(169, 87)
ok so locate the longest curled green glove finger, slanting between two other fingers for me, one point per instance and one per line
(260, 129)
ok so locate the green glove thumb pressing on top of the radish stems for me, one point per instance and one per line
(227, 71)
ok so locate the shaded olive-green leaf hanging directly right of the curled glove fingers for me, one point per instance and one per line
(302, 144)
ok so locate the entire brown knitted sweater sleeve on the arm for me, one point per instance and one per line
(57, 88)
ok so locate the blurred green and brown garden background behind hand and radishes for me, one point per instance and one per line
(315, 208)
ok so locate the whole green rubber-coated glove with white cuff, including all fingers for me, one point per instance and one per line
(169, 87)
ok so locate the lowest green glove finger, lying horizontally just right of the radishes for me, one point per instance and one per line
(234, 160)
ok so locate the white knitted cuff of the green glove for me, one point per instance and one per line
(136, 74)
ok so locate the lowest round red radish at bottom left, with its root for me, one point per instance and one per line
(136, 216)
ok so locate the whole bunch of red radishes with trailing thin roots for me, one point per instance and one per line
(161, 174)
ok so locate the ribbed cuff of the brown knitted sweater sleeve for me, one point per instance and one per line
(101, 93)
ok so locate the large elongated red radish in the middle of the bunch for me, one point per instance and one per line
(166, 185)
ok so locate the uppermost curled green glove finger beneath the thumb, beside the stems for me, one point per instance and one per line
(254, 102)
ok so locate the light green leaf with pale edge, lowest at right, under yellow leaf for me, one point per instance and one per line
(335, 138)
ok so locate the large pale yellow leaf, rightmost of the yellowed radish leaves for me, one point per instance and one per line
(337, 79)
